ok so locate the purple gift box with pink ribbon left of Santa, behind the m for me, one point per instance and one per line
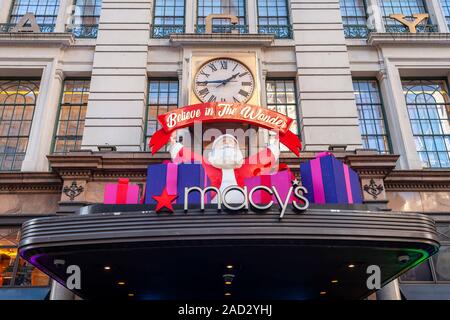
(175, 177)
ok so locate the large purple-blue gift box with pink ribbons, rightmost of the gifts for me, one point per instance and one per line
(329, 180)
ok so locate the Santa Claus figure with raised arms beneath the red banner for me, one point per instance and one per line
(225, 165)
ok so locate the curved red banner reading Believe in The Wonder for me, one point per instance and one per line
(224, 112)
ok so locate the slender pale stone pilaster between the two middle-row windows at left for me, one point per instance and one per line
(42, 128)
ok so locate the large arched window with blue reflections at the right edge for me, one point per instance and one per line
(428, 106)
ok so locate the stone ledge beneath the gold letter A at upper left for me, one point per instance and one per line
(48, 38)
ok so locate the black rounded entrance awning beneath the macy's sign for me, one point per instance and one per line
(318, 254)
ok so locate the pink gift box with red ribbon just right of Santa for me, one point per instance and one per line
(282, 180)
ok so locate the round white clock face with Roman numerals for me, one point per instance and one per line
(224, 80)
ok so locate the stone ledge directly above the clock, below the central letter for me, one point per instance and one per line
(244, 39)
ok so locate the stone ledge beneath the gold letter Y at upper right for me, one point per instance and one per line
(377, 38)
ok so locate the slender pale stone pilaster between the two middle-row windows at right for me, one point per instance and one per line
(397, 117)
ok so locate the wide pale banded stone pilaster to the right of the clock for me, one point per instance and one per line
(327, 102)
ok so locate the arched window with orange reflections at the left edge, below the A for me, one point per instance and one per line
(17, 103)
